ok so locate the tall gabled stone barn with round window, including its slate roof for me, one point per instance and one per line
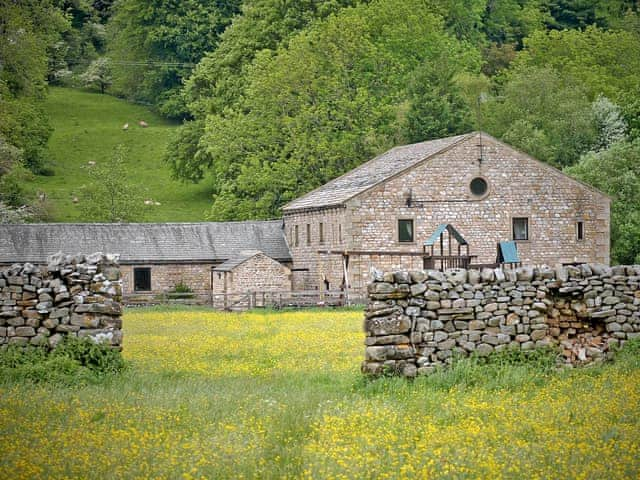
(382, 213)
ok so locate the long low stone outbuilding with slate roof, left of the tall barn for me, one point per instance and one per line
(157, 258)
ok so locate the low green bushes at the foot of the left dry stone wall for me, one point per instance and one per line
(73, 362)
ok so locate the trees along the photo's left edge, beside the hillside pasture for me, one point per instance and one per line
(28, 32)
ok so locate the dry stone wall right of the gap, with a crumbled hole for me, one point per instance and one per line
(418, 321)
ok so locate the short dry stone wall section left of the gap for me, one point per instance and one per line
(72, 296)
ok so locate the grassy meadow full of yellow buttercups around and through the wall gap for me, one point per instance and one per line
(279, 395)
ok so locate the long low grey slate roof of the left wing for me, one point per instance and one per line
(144, 242)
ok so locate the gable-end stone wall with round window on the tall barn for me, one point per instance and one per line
(518, 186)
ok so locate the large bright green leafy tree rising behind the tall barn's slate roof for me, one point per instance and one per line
(335, 95)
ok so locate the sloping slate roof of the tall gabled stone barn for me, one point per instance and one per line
(377, 170)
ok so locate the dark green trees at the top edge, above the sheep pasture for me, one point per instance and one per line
(154, 45)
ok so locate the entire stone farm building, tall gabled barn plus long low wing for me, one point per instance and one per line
(447, 200)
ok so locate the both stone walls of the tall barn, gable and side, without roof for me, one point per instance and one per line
(518, 186)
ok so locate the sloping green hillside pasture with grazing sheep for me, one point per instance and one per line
(87, 127)
